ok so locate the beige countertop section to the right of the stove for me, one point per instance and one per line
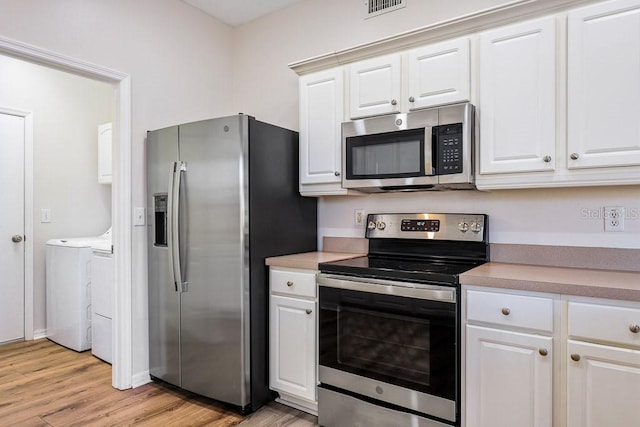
(621, 285)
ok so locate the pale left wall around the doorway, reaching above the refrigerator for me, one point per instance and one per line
(179, 60)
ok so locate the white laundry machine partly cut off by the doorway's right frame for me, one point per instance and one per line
(102, 300)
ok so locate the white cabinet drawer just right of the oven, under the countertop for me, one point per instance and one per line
(511, 310)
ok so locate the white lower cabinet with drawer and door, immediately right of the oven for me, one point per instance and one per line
(509, 360)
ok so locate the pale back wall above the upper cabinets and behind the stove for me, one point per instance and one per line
(267, 88)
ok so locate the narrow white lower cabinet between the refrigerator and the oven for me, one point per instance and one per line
(292, 338)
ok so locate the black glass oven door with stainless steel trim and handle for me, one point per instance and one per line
(394, 342)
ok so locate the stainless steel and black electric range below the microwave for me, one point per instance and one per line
(389, 322)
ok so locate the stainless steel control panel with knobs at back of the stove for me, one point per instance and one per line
(464, 227)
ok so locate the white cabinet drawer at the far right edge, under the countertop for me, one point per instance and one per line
(605, 323)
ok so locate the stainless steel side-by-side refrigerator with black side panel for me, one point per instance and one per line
(223, 194)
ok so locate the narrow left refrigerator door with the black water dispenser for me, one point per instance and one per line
(164, 301)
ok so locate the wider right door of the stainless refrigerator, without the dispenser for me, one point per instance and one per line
(214, 227)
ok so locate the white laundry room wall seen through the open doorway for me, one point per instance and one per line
(66, 111)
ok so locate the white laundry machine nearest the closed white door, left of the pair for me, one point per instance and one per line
(68, 290)
